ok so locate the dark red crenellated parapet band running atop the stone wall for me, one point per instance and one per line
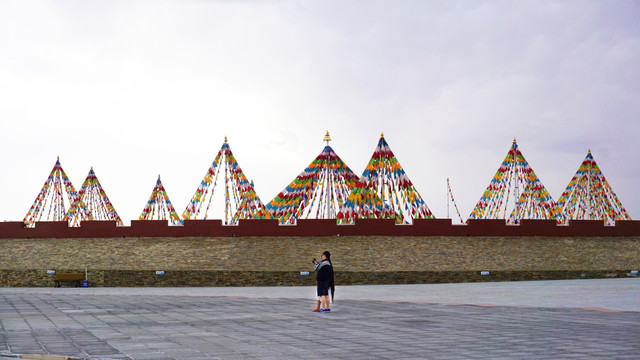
(319, 227)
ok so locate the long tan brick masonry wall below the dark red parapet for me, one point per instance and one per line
(257, 261)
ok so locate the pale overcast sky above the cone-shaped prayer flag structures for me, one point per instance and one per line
(141, 88)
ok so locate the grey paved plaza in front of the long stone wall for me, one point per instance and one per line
(573, 319)
